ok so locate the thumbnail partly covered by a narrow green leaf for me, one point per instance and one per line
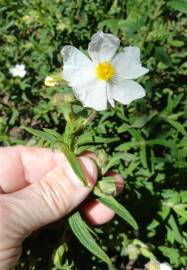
(89, 169)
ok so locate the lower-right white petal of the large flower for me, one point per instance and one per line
(126, 91)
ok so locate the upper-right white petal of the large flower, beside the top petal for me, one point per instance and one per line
(128, 64)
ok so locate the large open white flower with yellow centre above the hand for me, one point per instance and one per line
(105, 77)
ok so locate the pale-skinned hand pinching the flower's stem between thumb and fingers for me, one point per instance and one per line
(38, 187)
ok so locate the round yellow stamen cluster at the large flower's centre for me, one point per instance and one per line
(105, 71)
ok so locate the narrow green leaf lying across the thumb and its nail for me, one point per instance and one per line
(74, 162)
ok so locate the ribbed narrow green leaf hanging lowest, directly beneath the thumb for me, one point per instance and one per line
(82, 232)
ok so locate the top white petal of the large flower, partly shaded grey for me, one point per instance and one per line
(103, 47)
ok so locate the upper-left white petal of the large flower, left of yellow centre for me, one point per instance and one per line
(78, 69)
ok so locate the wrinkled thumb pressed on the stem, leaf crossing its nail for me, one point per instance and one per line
(53, 197)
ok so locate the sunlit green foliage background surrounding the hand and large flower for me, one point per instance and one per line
(150, 149)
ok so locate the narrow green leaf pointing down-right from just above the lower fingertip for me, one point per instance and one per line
(119, 209)
